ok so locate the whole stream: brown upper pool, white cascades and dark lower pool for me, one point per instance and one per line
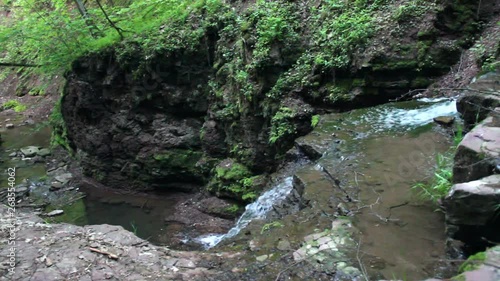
(369, 160)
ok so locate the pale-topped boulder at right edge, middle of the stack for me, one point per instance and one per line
(478, 153)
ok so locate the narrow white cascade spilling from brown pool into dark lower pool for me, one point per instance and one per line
(256, 210)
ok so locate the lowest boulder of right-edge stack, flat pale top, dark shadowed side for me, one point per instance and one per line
(473, 203)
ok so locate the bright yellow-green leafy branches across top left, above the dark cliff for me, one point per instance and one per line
(53, 33)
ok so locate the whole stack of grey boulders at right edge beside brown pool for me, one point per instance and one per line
(473, 202)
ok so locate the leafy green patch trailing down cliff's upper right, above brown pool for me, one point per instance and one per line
(337, 29)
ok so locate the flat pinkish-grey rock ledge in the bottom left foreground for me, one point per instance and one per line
(96, 252)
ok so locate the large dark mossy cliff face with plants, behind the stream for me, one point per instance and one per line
(248, 84)
